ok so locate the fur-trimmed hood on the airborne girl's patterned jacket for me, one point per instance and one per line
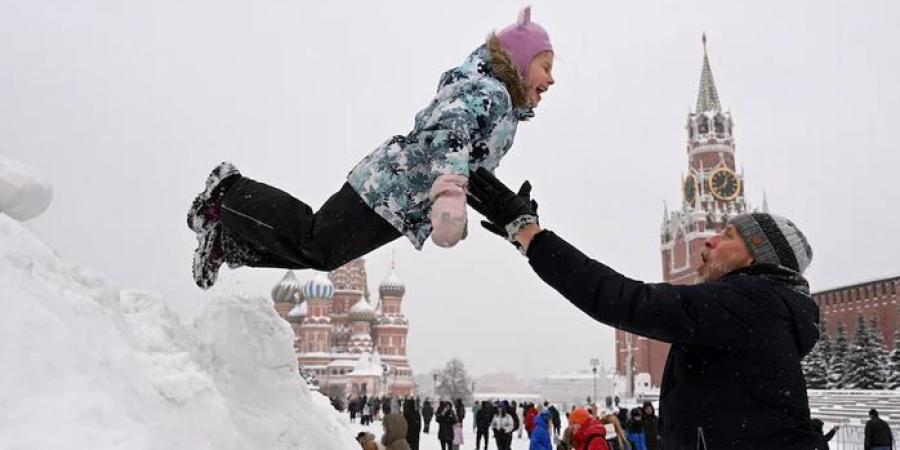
(491, 60)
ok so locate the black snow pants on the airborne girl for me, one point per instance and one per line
(287, 234)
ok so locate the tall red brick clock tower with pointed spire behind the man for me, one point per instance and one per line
(712, 190)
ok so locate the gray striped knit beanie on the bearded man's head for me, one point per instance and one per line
(773, 239)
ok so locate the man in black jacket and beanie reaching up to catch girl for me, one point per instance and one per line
(732, 379)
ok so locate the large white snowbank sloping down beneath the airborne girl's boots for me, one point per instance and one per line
(87, 366)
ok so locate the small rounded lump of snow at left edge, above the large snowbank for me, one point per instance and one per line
(24, 194)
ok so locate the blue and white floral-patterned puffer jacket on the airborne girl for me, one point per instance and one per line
(470, 123)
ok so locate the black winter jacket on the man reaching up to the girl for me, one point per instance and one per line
(733, 378)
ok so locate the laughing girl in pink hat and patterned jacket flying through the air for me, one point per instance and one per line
(412, 185)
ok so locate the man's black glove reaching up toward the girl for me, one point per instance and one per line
(507, 211)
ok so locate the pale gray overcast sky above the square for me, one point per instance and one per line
(126, 106)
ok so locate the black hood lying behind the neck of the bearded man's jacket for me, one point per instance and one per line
(804, 312)
